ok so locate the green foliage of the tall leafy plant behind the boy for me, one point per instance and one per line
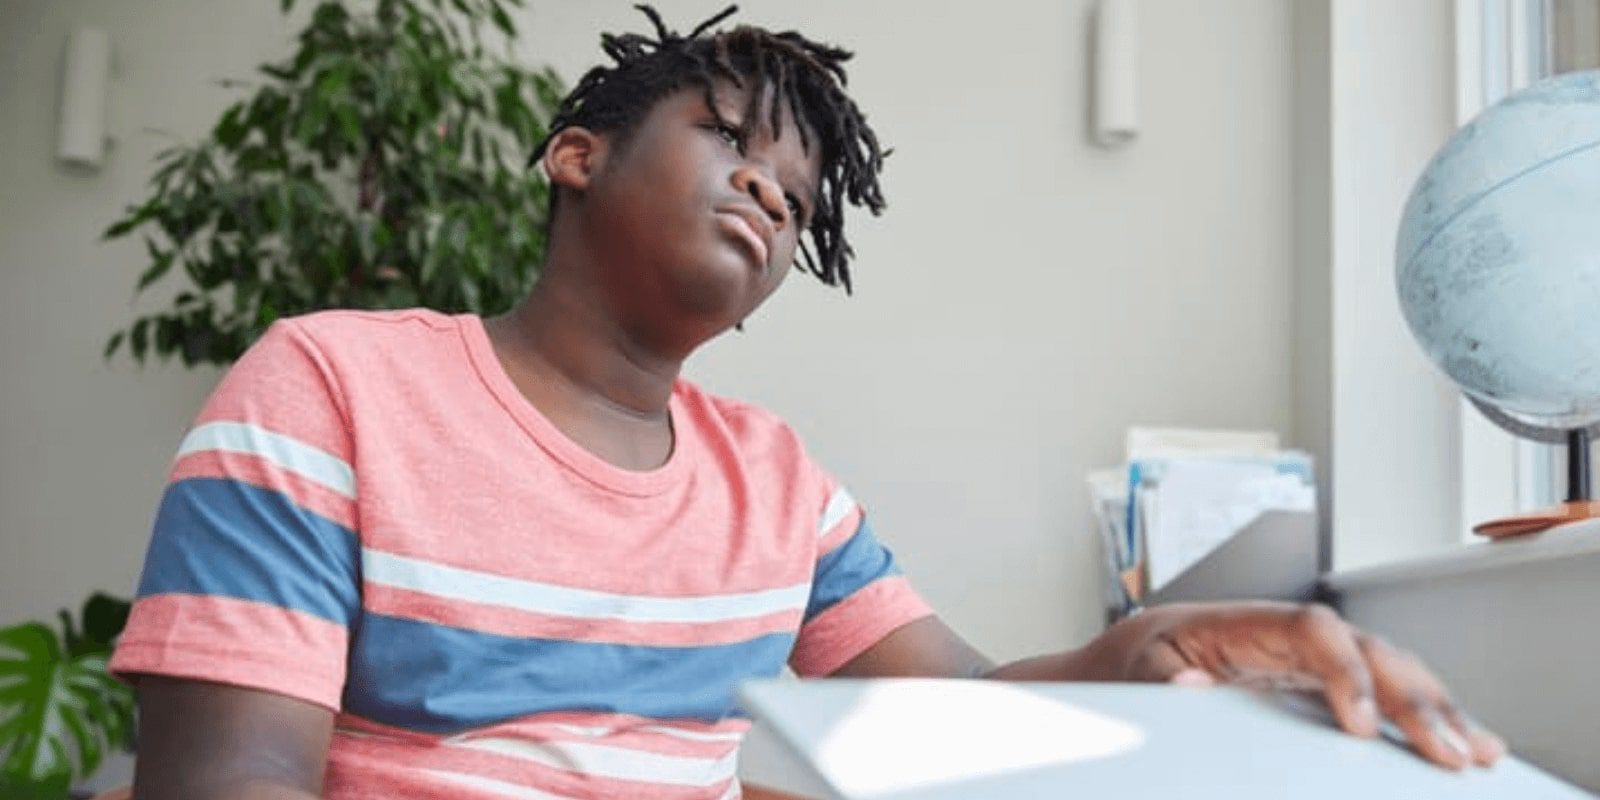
(378, 166)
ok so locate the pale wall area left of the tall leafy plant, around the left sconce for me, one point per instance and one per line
(84, 447)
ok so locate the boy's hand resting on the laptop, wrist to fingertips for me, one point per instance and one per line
(1287, 646)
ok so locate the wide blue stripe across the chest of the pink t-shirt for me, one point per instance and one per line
(441, 679)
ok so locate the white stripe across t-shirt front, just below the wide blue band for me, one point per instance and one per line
(601, 761)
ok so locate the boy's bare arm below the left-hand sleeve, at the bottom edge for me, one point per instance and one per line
(209, 742)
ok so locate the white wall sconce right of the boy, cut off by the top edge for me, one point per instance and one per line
(1114, 114)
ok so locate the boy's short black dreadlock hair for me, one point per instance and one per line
(806, 76)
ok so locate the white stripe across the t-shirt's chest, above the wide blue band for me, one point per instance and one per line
(455, 583)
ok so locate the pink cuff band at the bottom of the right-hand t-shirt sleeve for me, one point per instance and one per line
(857, 623)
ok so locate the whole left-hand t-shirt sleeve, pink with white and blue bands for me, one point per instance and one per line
(252, 577)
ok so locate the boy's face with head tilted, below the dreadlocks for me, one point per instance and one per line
(695, 226)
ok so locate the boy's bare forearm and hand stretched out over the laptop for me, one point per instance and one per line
(1282, 646)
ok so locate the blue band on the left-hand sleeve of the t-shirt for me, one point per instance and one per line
(217, 537)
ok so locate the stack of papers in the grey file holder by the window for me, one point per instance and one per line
(1182, 495)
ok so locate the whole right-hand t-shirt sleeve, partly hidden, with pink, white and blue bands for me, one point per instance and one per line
(858, 591)
